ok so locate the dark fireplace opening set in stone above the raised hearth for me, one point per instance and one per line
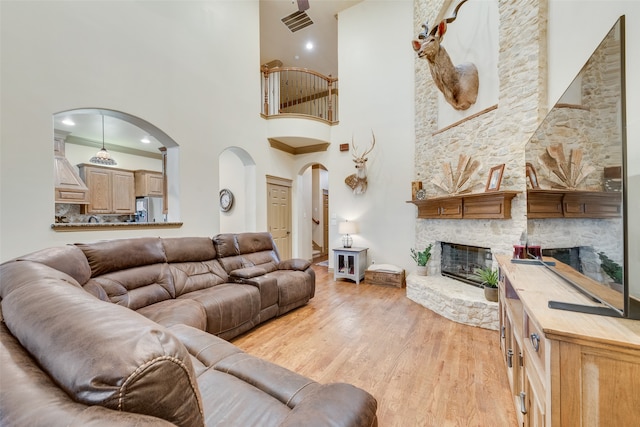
(461, 262)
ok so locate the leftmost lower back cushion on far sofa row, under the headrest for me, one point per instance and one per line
(136, 287)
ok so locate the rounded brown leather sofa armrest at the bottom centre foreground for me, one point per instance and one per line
(335, 404)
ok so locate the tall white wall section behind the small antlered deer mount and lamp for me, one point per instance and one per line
(376, 93)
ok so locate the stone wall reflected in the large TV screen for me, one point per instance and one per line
(593, 127)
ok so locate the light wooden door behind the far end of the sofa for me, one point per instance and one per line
(279, 216)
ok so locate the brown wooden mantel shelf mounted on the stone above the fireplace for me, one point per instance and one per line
(489, 205)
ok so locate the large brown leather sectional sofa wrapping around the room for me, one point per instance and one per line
(132, 332)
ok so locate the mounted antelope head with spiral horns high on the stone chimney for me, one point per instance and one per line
(459, 84)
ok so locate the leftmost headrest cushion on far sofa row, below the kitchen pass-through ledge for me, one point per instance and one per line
(114, 255)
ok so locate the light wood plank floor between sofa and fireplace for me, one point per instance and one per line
(423, 369)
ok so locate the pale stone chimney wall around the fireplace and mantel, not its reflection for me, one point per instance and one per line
(495, 137)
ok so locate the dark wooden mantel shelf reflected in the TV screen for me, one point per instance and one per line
(573, 204)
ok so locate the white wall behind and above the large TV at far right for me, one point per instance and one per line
(575, 30)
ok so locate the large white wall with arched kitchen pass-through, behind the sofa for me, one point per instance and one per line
(170, 63)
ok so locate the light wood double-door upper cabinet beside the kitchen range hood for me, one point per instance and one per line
(111, 191)
